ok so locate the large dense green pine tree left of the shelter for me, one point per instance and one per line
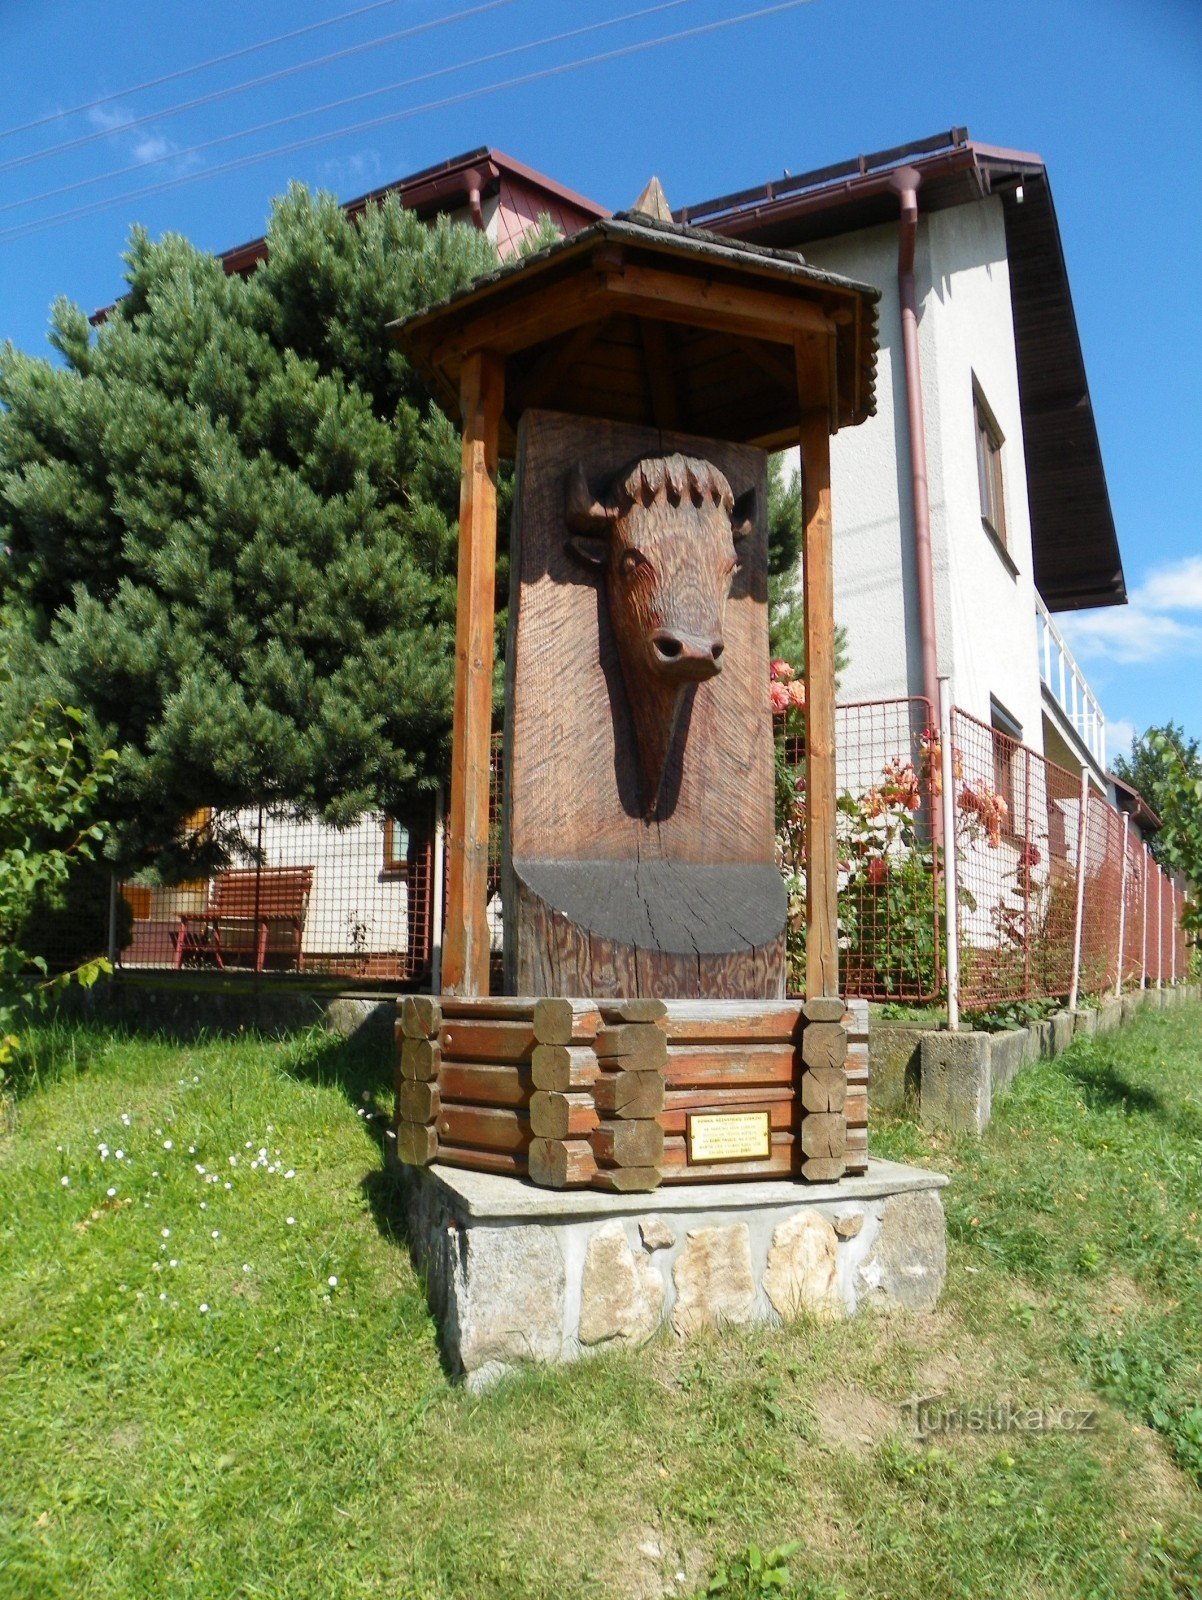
(231, 519)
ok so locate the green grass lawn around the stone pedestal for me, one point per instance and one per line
(300, 1439)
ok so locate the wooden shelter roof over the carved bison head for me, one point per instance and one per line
(649, 322)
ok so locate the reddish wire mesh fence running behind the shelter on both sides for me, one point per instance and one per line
(1056, 890)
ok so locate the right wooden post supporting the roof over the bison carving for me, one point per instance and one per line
(822, 868)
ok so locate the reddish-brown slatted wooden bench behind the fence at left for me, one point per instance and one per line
(247, 905)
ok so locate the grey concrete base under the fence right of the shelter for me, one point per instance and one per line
(956, 1078)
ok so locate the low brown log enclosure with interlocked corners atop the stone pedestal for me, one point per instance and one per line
(598, 1094)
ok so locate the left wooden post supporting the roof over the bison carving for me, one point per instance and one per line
(465, 962)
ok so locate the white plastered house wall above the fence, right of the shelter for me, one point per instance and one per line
(985, 614)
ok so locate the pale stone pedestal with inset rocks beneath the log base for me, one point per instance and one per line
(519, 1274)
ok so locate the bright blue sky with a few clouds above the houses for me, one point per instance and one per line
(1108, 92)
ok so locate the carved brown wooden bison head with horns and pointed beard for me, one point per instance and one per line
(665, 534)
